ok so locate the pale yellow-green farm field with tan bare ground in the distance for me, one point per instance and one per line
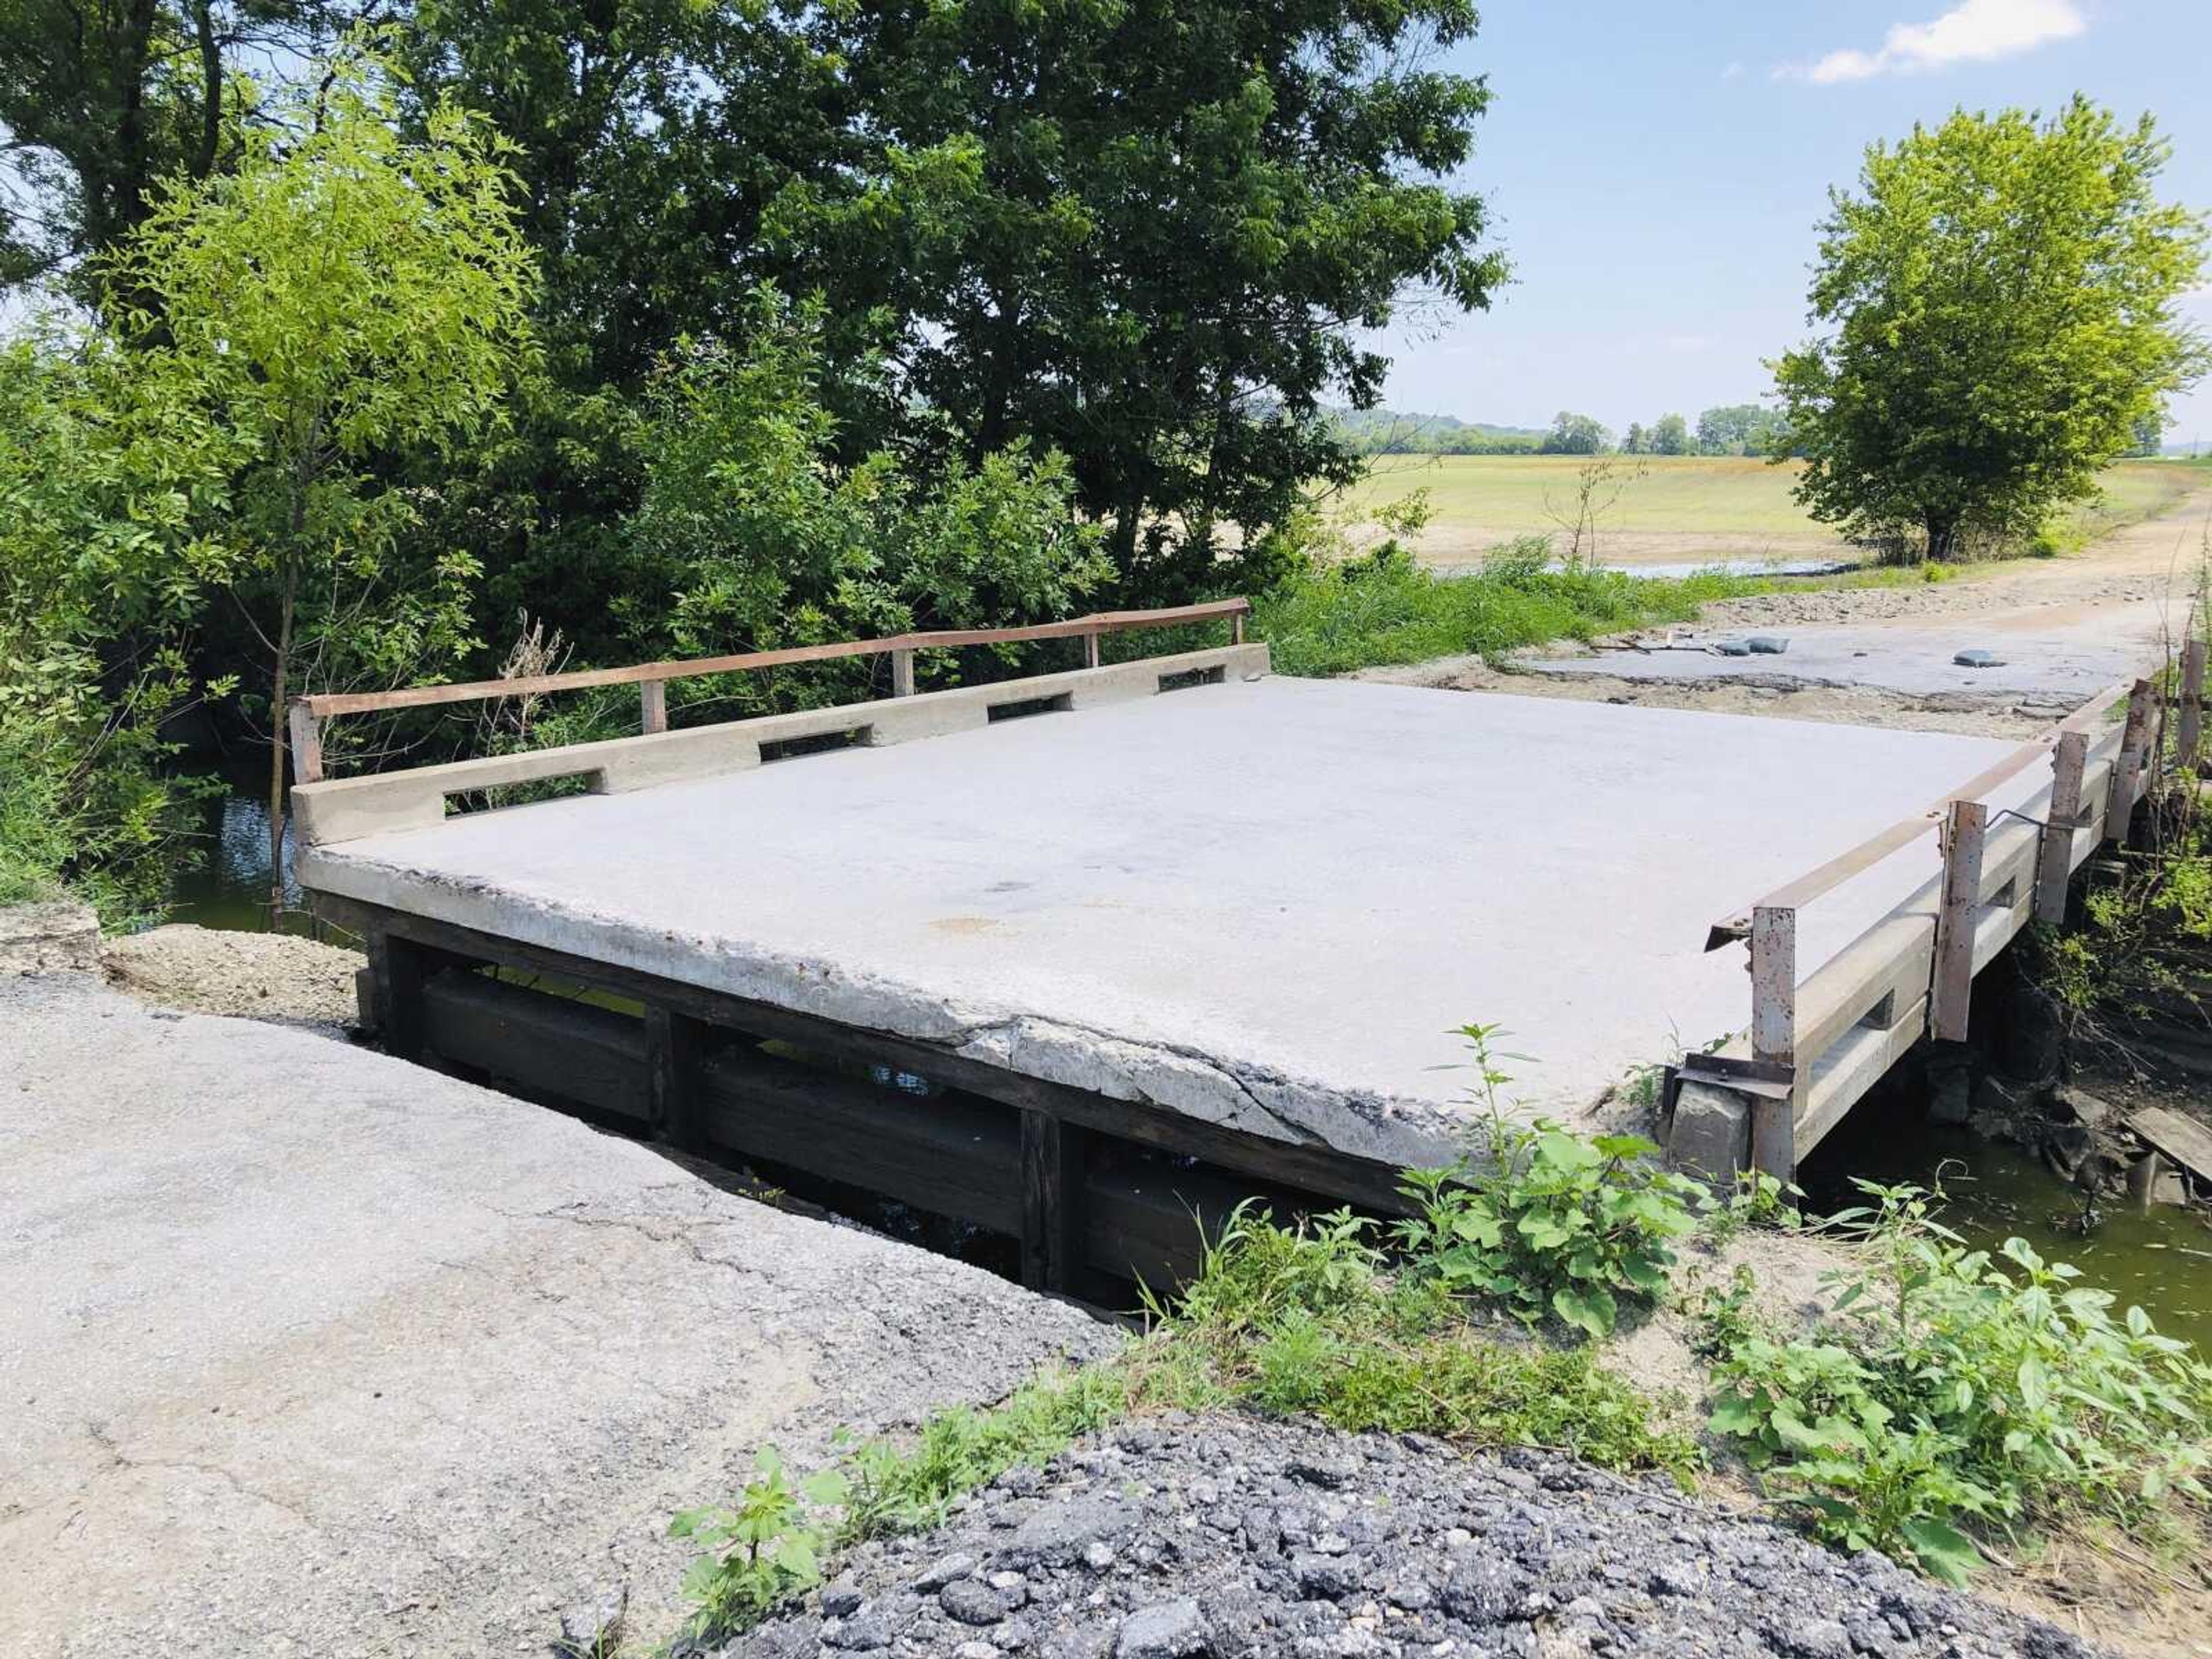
(1684, 510)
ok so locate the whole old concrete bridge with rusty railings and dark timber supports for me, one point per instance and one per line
(1085, 954)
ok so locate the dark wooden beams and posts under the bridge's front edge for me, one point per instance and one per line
(1096, 1191)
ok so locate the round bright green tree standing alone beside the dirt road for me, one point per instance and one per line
(2001, 309)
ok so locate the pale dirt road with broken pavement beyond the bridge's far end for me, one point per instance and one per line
(2063, 629)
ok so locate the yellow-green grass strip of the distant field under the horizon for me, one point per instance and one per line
(1682, 494)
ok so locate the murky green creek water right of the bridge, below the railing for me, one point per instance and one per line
(2158, 1260)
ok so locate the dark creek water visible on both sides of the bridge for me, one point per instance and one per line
(2160, 1260)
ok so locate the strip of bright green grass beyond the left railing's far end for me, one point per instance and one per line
(1366, 616)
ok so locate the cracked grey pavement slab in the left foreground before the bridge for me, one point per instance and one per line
(313, 1353)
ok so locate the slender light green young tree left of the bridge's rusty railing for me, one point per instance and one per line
(340, 298)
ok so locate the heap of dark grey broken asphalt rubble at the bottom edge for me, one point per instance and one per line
(1235, 1536)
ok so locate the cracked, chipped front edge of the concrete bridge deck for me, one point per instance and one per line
(1215, 1089)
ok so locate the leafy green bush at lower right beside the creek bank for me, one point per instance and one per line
(1965, 1388)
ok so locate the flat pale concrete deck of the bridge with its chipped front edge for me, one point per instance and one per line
(1264, 904)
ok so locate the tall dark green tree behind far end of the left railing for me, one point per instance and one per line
(1147, 233)
